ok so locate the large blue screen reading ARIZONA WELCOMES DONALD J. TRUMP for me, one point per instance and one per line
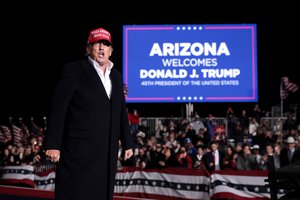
(190, 63)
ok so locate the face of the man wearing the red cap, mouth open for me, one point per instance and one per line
(100, 51)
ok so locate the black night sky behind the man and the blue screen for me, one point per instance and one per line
(35, 45)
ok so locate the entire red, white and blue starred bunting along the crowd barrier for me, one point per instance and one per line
(167, 184)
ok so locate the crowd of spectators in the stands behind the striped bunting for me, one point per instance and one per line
(250, 144)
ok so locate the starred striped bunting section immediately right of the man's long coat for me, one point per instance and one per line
(167, 184)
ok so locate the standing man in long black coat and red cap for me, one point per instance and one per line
(88, 117)
